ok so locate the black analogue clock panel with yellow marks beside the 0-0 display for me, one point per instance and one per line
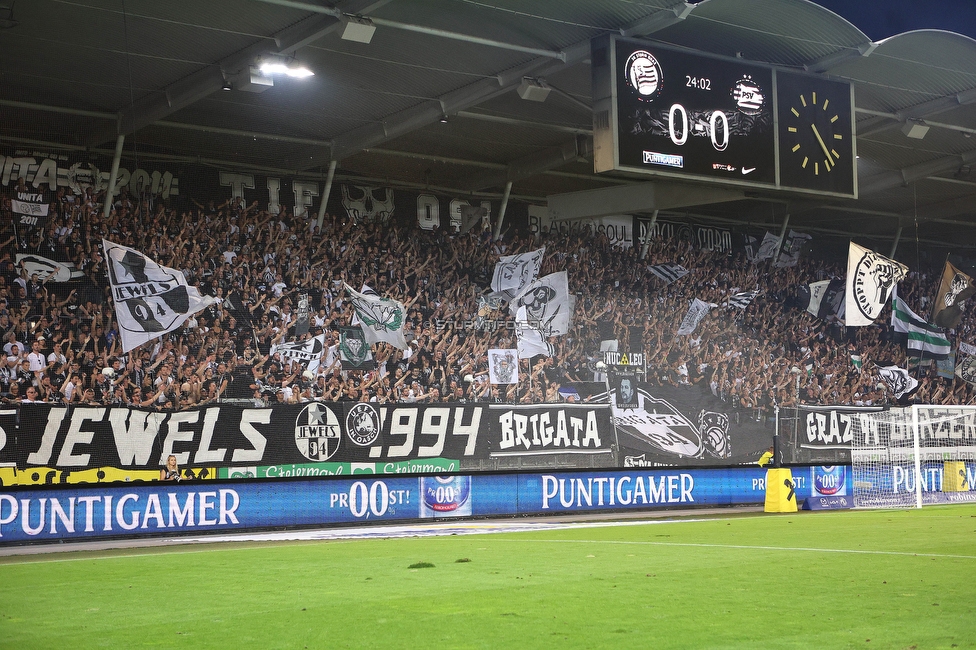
(816, 139)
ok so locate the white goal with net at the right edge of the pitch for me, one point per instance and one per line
(910, 457)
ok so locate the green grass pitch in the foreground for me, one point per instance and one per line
(851, 579)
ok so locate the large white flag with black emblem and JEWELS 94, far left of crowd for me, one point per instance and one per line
(150, 299)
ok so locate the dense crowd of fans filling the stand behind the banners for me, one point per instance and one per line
(61, 339)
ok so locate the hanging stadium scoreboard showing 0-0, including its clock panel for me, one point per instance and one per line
(666, 112)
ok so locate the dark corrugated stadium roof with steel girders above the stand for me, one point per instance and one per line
(78, 72)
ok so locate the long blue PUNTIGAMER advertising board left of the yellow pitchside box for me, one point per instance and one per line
(92, 511)
